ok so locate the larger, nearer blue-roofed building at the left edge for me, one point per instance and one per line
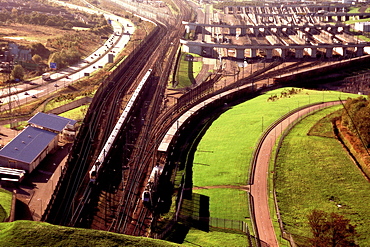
(28, 149)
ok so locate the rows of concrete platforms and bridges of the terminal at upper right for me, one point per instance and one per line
(275, 31)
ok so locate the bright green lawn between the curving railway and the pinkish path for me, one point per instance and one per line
(223, 155)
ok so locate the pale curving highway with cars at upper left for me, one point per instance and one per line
(22, 93)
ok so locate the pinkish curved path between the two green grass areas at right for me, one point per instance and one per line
(259, 186)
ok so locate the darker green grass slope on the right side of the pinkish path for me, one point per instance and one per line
(315, 172)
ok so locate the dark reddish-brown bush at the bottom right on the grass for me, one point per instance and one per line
(331, 230)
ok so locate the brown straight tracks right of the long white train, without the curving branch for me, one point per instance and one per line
(134, 218)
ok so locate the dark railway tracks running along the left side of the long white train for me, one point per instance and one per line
(97, 124)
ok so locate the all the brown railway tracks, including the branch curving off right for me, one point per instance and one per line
(114, 202)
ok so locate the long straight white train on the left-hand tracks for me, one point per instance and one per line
(94, 171)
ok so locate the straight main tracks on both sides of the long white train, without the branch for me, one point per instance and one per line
(113, 203)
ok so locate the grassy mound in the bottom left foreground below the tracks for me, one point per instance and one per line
(30, 233)
